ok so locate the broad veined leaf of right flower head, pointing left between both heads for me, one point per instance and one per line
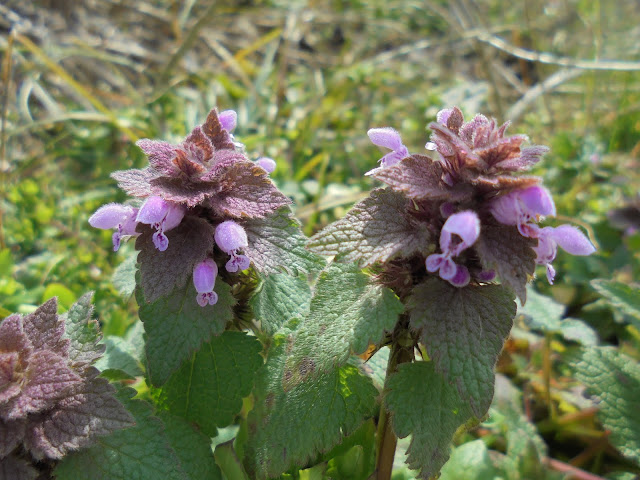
(374, 230)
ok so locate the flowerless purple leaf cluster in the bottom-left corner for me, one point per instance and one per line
(51, 399)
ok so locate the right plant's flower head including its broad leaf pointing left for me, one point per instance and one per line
(469, 193)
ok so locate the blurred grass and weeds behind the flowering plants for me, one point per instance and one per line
(81, 80)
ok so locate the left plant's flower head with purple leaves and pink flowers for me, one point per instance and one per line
(195, 195)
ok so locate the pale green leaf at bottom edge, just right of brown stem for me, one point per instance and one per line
(471, 461)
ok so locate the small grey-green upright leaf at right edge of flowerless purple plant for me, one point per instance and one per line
(83, 332)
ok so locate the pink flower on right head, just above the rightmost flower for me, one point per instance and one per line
(521, 207)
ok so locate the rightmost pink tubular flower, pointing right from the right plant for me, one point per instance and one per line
(568, 237)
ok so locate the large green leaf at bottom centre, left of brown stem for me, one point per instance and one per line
(290, 425)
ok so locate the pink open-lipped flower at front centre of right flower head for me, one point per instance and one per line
(466, 226)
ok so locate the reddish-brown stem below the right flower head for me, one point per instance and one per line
(386, 438)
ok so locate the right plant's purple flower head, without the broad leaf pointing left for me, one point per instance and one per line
(469, 193)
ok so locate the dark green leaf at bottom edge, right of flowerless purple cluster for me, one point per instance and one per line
(142, 452)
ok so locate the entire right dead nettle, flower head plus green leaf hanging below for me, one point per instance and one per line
(454, 235)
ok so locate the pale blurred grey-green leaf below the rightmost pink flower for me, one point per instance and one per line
(545, 314)
